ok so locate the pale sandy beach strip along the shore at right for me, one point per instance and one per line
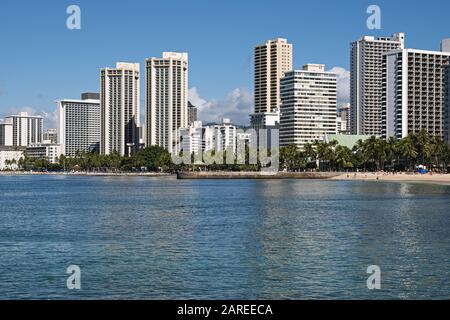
(399, 177)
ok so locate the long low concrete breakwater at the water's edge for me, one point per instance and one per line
(257, 175)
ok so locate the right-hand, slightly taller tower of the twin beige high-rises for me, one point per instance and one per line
(166, 95)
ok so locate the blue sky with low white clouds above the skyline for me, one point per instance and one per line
(41, 60)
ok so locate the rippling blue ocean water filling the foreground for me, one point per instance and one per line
(159, 238)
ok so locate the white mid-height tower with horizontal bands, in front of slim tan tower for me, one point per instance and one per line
(308, 105)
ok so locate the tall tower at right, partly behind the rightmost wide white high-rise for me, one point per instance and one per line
(366, 81)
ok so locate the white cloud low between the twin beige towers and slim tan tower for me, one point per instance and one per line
(237, 106)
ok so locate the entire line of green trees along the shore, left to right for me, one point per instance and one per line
(372, 154)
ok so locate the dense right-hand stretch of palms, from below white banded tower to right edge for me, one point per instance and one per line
(373, 154)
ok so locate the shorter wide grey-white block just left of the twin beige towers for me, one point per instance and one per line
(79, 125)
